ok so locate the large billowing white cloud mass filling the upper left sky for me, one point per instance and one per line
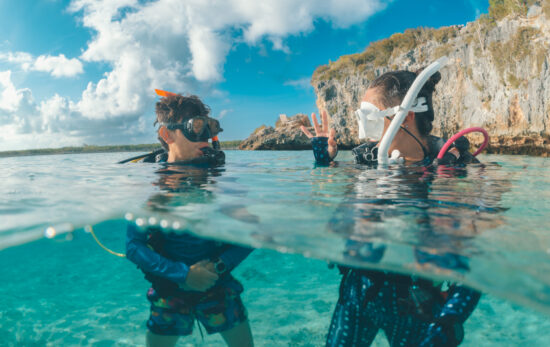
(168, 44)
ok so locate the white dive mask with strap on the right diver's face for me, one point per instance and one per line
(371, 120)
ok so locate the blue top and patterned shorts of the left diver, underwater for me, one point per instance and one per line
(173, 307)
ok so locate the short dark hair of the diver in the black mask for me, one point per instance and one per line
(176, 108)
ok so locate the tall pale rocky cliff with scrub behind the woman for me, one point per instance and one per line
(498, 77)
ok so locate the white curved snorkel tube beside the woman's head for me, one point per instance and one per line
(404, 109)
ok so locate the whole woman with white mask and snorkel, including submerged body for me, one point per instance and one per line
(412, 311)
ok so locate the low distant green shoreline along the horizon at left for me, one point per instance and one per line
(99, 149)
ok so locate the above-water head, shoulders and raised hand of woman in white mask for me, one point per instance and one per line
(406, 96)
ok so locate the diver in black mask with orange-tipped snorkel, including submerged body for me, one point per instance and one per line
(190, 277)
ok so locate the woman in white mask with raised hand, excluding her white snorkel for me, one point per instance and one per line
(412, 311)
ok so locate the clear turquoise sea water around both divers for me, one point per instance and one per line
(66, 290)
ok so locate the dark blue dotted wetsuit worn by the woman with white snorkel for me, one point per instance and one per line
(412, 311)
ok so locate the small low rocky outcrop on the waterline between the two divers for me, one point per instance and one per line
(286, 135)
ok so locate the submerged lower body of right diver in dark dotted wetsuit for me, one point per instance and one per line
(411, 311)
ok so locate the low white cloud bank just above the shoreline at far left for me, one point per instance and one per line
(25, 123)
